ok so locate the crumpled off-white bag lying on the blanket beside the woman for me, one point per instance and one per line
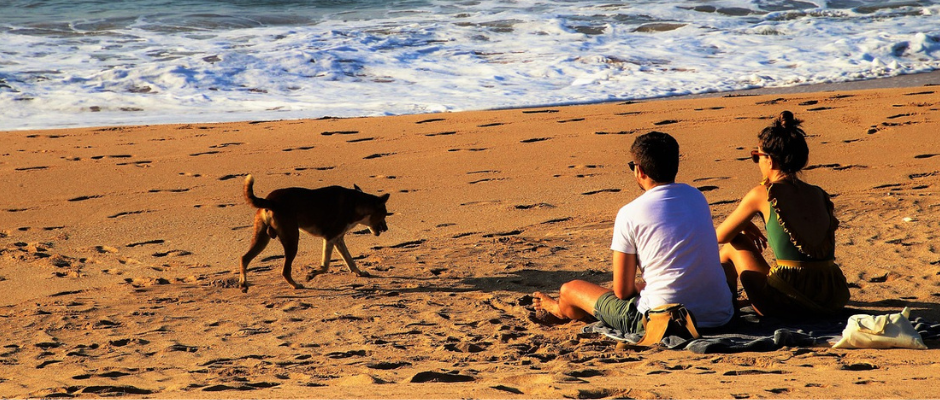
(880, 332)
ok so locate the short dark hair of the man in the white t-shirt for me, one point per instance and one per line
(658, 154)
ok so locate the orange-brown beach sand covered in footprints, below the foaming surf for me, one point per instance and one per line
(119, 246)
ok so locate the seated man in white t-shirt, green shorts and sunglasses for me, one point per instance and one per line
(667, 233)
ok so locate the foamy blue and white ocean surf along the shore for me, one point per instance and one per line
(74, 63)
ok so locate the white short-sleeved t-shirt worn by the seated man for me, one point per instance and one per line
(669, 228)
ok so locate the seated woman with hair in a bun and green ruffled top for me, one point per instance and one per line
(800, 226)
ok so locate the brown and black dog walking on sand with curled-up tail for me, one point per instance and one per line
(328, 212)
